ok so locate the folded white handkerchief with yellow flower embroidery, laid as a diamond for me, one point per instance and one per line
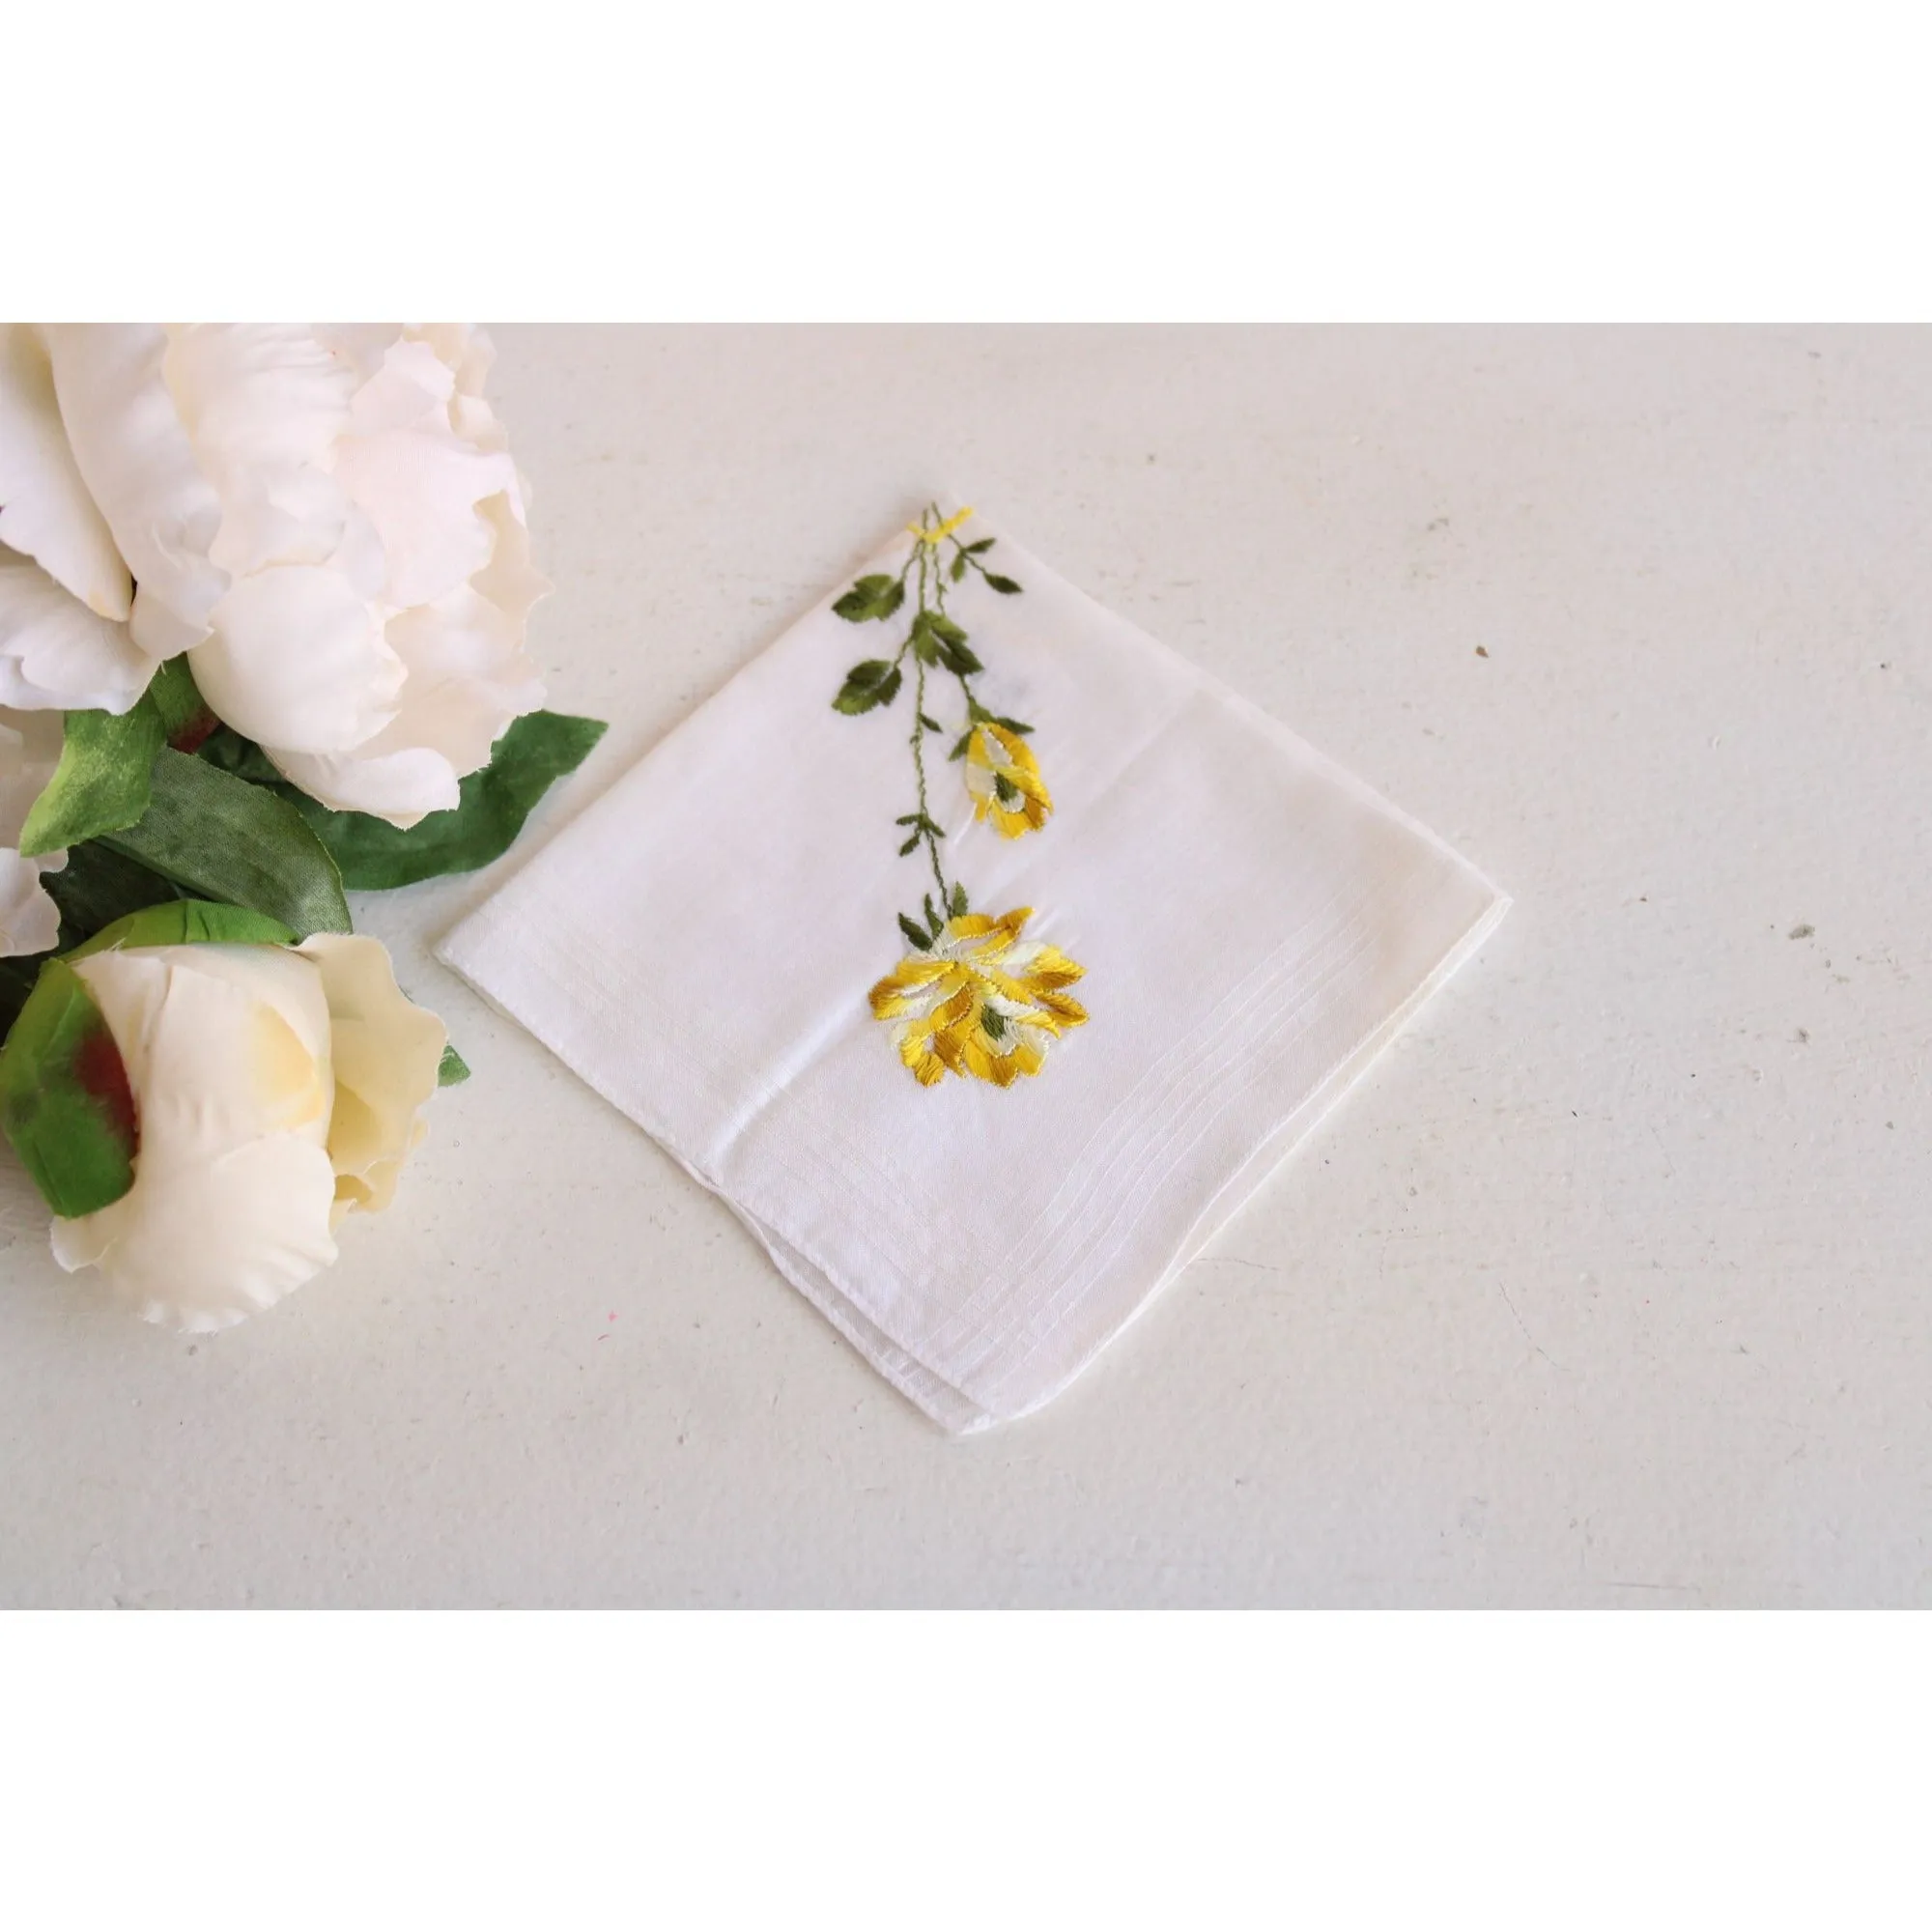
(982, 955)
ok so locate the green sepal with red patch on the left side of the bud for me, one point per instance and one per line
(65, 1098)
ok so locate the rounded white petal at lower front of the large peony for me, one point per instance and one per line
(297, 662)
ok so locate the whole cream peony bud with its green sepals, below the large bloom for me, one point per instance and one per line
(202, 1114)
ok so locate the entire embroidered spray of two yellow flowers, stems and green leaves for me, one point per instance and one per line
(973, 998)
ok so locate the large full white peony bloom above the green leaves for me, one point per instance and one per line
(326, 519)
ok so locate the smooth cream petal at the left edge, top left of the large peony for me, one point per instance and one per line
(45, 511)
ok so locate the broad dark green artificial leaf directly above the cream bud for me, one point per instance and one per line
(227, 839)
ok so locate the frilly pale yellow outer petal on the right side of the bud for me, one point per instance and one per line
(387, 1058)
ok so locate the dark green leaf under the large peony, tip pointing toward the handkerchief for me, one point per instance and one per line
(492, 809)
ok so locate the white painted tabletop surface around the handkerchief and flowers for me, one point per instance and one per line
(1610, 1286)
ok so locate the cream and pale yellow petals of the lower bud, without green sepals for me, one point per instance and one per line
(273, 1093)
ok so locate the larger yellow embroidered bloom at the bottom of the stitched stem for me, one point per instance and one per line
(980, 1004)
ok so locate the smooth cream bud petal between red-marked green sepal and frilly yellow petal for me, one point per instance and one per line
(229, 1060)
